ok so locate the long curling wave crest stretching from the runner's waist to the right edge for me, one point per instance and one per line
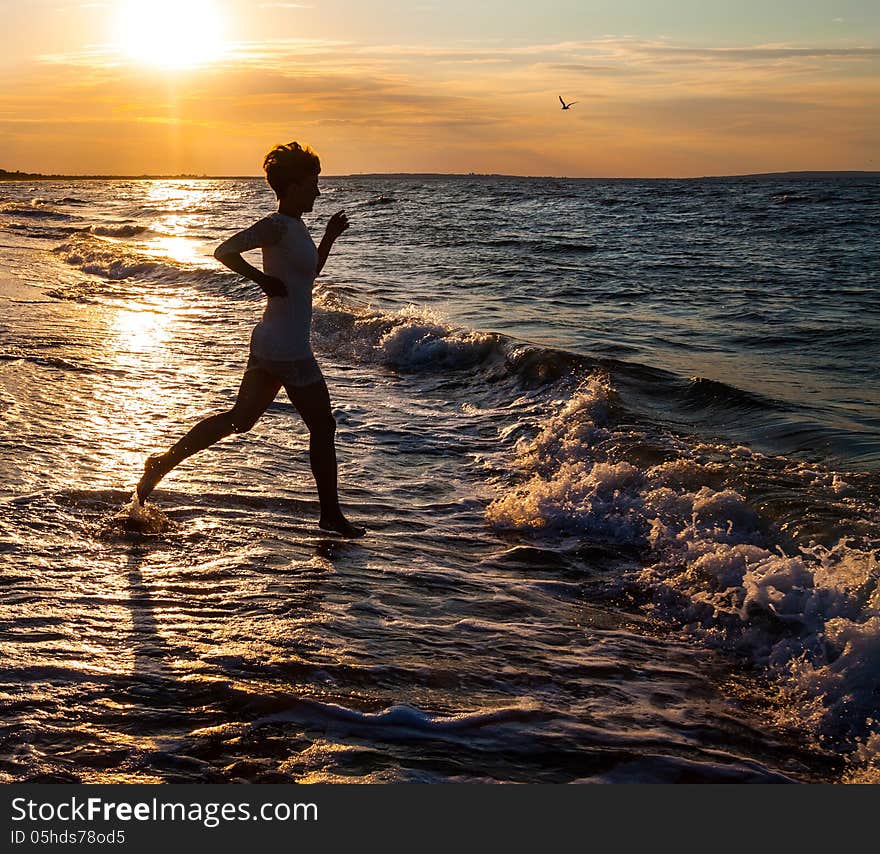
(418, 340)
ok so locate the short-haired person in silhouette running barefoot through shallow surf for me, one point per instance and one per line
(280, 352)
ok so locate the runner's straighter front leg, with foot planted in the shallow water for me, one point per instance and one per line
(313, 404)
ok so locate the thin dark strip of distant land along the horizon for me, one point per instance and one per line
(801, 175)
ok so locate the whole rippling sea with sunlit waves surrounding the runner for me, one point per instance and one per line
(616, 444)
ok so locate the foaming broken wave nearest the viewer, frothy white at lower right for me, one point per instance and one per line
(716, 556)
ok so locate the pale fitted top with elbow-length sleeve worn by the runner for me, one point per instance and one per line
(289, 254)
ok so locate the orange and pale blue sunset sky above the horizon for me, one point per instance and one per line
(662, 87)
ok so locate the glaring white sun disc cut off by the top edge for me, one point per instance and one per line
(171, 33)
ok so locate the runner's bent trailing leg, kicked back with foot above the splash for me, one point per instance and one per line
(257, 391)
